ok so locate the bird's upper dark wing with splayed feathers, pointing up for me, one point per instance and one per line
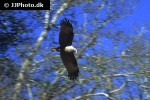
(66, 33)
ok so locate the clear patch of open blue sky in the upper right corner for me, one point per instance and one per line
(140, 15)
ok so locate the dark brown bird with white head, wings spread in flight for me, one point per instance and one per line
(66, 49)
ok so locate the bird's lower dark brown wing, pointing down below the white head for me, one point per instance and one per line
(70, 64)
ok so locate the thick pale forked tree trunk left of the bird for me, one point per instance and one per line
(27, 63)
